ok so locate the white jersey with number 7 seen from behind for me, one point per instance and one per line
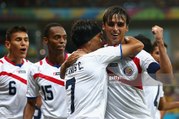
(86, 84)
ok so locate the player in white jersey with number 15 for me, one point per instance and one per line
(44, 78)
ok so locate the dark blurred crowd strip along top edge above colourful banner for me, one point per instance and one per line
(87, 3)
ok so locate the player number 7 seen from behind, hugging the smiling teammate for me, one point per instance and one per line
(86, 79)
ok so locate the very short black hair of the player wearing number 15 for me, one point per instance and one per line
(47, 28)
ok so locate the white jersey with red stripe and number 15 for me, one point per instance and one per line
(45, 78)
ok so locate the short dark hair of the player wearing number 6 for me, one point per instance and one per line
(14, 29)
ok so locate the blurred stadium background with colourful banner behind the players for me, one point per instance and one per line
(35, 14)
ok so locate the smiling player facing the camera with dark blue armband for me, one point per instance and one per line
(125, 87)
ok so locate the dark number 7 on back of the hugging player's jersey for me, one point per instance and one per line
(71, 83)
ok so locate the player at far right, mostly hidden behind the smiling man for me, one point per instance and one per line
(153, 89)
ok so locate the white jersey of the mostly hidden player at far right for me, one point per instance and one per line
(153, 91)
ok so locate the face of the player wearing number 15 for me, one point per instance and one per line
(57, 40)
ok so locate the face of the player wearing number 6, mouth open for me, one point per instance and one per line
(18, 45)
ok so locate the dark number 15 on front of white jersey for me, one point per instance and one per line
(47, 91)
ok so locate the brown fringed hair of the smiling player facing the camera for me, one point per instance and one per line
(109, 12)
